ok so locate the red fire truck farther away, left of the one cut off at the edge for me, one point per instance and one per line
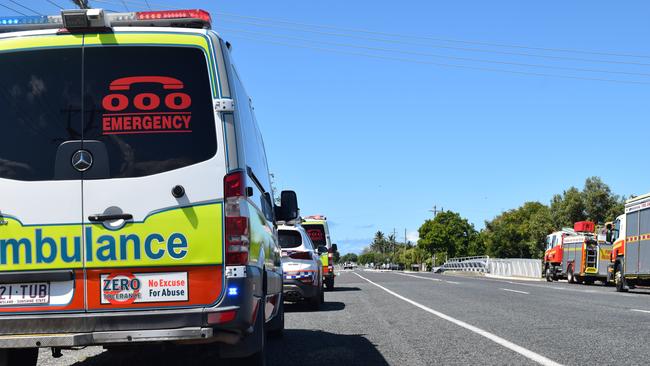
(576, 254)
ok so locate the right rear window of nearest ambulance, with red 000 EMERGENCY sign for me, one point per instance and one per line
(150, 106)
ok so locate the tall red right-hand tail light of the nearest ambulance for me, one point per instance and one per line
(237, 219)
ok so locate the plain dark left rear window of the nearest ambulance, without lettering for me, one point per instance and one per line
(40, 100)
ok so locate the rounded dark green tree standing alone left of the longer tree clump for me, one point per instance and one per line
(447, 232)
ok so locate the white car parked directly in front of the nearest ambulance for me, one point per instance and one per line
(302, 267)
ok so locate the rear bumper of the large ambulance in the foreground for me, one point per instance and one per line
(69, 330)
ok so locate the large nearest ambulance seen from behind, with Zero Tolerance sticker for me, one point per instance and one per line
(135, 199)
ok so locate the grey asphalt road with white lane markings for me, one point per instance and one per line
(391, 318)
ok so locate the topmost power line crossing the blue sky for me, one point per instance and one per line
(357, 30)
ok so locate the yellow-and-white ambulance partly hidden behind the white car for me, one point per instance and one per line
(318, 230)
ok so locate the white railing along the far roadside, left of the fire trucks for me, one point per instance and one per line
(510, 267)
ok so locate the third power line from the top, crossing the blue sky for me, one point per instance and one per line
(440, 56)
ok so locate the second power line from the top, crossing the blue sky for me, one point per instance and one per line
(468, 49)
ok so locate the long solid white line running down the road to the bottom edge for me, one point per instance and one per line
(493, 337)
